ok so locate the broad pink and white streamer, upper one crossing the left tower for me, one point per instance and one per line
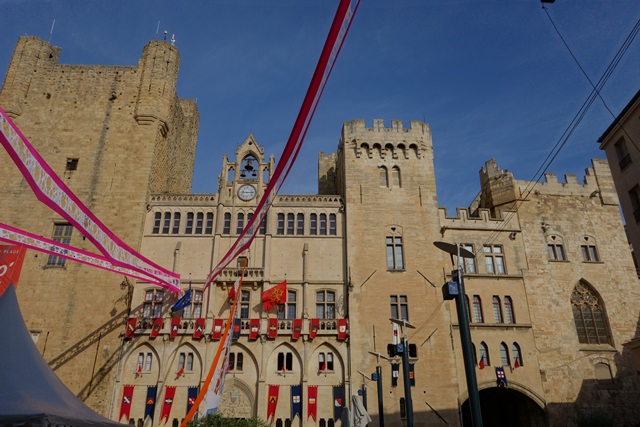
(52, 191)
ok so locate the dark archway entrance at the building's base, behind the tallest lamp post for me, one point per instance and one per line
(504, 407)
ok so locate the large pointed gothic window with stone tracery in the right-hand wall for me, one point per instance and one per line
(589, 316)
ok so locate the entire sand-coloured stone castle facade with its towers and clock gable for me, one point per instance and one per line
(552, 290)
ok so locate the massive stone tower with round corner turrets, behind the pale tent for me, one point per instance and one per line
(114, 134)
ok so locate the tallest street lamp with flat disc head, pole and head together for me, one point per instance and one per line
(455, 290)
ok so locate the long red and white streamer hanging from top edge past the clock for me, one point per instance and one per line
(337, 33)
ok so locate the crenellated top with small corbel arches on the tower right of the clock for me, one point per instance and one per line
(380, 142)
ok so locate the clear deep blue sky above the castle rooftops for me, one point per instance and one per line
(492, 78)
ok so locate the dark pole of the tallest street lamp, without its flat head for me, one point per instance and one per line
(467, 350)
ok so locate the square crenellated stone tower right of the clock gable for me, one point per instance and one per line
(386, 178)
